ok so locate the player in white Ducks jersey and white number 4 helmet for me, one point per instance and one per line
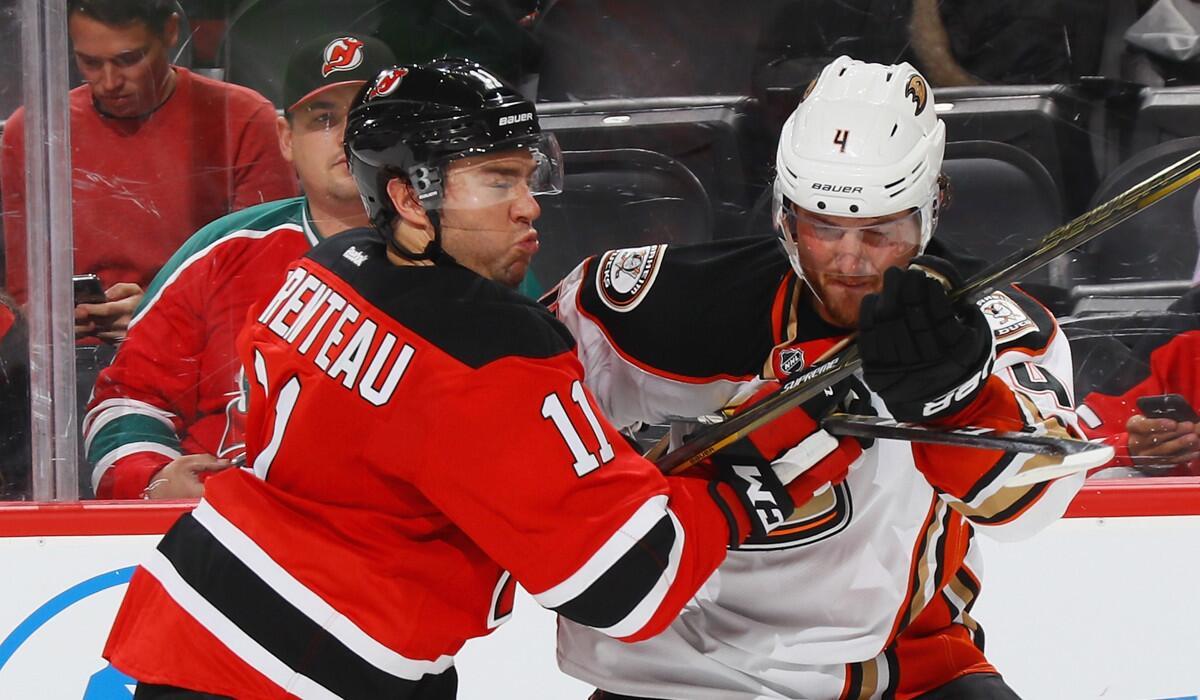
(868, 591)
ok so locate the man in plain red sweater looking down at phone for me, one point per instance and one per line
(157, 153)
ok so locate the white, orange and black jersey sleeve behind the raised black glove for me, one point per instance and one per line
(1030, 390)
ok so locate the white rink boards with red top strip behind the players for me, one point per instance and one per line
(1100, 606)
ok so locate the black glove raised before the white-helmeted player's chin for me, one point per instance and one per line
(926, 357)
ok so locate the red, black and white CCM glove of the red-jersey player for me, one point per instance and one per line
(778, 468)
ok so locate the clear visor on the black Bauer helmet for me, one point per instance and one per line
(503, 177)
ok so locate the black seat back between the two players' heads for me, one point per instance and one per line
(619, 199)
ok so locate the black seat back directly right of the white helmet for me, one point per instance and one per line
(1001, 200)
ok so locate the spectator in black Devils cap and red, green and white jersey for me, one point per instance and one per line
(167, 411)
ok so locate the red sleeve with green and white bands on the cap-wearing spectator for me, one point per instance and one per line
(143, 402)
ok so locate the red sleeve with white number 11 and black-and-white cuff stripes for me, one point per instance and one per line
(550, 490)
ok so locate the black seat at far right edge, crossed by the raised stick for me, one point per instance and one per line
(1159, 243)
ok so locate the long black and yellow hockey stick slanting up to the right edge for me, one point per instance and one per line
(1070, 236)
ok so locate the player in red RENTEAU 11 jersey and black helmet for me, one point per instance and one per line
(422, 440)
